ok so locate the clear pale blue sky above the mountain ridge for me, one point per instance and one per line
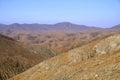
(100, 13)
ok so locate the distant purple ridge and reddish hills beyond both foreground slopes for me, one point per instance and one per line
(59, 37)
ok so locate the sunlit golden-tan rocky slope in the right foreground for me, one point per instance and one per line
(98, 60)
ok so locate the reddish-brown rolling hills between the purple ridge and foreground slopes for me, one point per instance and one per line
(61, 42)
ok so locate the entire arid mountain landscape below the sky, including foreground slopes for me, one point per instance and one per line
(62, 51)
